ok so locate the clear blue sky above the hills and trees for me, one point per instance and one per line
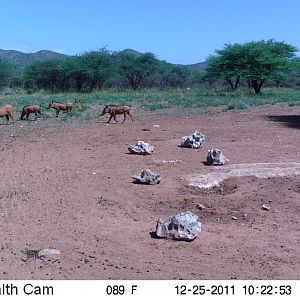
(185, 31)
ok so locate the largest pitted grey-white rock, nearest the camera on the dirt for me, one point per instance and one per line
(183, 227)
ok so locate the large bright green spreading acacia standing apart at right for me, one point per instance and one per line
(254, 62)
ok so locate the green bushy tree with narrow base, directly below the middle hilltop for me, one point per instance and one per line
(135, 68)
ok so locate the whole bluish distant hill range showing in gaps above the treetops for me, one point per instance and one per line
(21, 60)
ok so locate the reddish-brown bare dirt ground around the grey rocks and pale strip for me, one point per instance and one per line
(70, 187)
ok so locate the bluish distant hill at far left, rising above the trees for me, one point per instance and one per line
(21, 60)
